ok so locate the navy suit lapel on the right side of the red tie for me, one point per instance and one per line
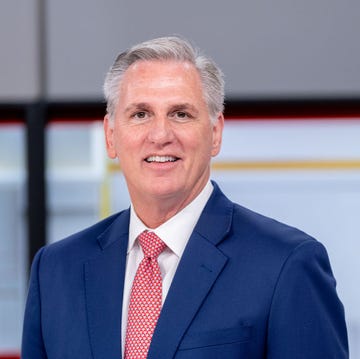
(200, 266)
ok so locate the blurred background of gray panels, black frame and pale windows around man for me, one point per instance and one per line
(291, 146)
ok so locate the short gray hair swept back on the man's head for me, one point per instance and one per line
(162, 49)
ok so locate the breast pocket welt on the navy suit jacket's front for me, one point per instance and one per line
(217, 337)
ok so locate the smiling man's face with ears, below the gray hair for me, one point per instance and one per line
(162, 134)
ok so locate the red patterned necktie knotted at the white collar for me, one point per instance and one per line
(145, 298)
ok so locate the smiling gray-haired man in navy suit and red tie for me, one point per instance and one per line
(225, 282)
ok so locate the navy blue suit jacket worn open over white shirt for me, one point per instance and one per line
(246, 287)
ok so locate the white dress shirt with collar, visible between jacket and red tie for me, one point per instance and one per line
(175, 233)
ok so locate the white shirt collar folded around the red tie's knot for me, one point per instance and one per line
(176, 231)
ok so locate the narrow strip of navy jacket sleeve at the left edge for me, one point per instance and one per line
(32, 339)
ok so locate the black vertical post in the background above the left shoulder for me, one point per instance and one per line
(36, 185)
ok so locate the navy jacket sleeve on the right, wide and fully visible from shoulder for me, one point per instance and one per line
(307, 318)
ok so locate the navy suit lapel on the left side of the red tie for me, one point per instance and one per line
(104, 278)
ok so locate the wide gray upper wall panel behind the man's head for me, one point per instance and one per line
(265, 48)
